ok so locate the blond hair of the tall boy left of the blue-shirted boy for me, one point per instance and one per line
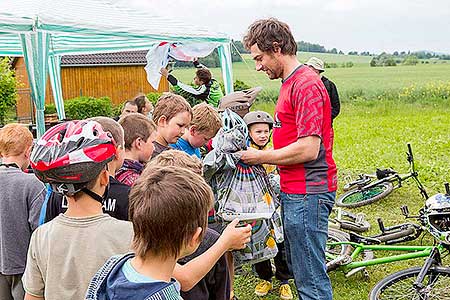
(169, 105)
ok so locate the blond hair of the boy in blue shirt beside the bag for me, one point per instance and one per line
(206, 118)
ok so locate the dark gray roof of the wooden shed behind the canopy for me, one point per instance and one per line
(118, 58)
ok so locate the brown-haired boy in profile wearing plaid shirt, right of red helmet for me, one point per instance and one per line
(139, 134)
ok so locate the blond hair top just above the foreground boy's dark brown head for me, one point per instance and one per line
(178, 159)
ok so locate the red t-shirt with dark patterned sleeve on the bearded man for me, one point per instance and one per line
(304, 109)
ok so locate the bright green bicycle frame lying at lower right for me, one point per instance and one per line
(413, 252)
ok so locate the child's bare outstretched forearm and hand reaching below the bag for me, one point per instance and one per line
(192, 272)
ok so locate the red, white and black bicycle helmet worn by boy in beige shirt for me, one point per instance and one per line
(71, 154)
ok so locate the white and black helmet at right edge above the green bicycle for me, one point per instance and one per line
(437, 211)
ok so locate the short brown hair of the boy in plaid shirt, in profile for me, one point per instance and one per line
(136, 125)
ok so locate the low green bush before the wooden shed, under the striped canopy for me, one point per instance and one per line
(87, 107)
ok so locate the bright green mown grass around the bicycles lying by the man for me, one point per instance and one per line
(375, 135)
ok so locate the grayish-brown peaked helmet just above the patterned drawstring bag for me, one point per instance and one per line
(240, 101)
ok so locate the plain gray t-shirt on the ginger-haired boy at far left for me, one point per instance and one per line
(21, 198)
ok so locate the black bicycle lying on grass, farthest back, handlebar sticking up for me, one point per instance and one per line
(368, 188)
